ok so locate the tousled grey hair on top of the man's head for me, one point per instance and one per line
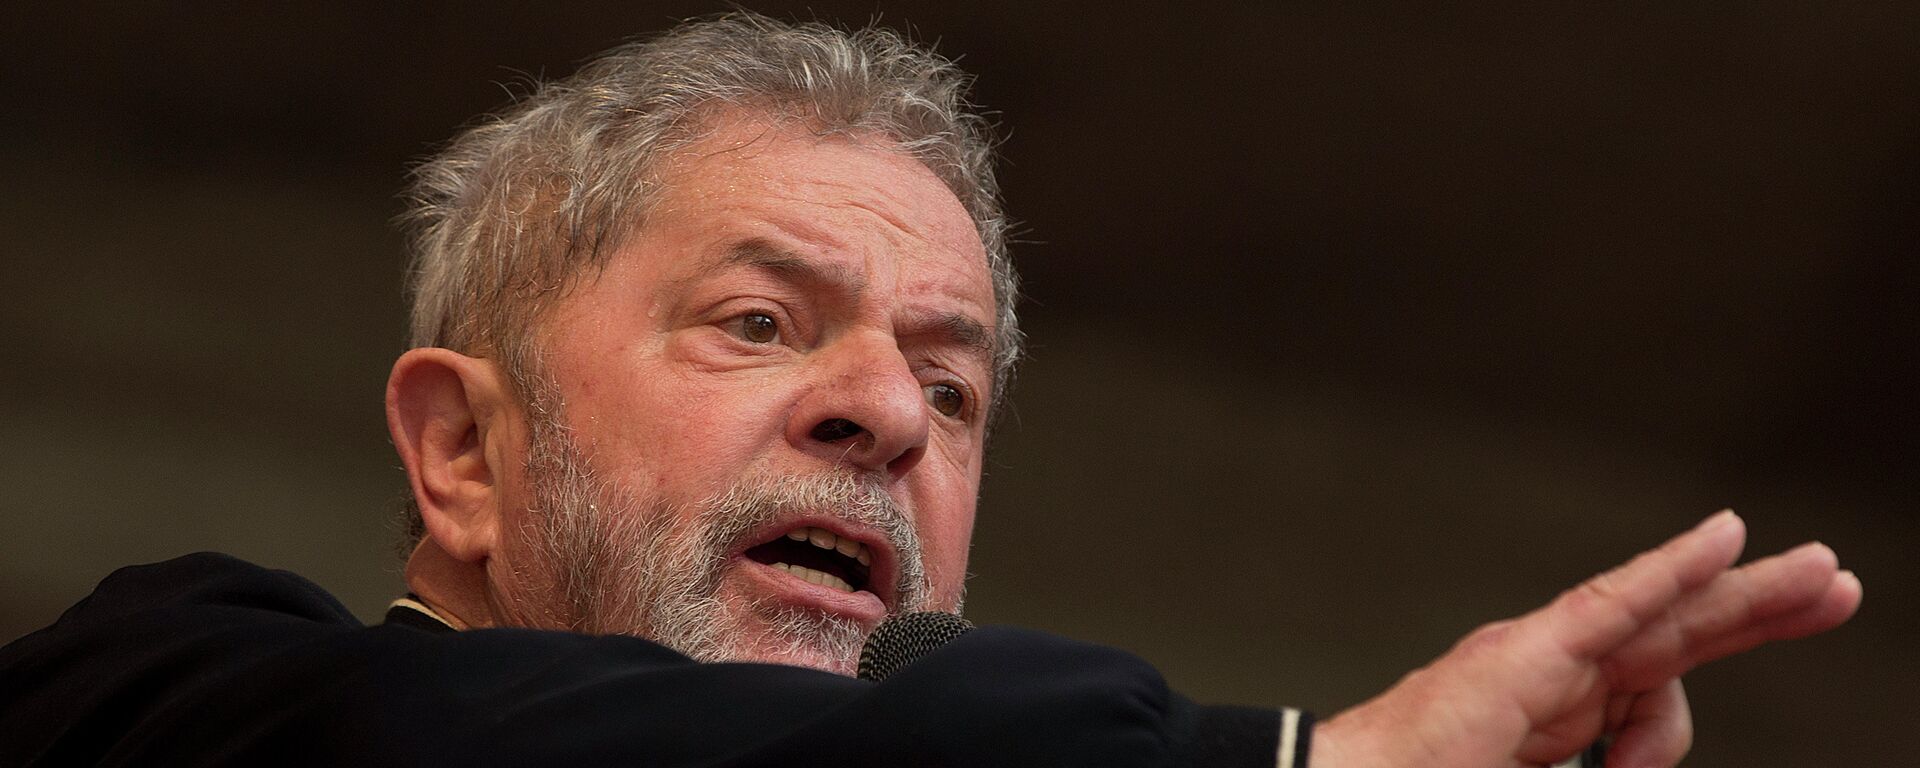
(519, 206)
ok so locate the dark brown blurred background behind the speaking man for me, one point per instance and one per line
(1353, 327)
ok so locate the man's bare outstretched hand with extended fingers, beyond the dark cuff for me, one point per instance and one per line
(1604, 658)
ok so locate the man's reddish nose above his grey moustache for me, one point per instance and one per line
(865, 410)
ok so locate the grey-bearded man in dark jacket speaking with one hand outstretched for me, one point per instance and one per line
(708, 341)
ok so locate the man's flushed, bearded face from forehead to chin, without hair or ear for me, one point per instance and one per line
(667, 439)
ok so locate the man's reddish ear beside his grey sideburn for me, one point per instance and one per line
(456, 425)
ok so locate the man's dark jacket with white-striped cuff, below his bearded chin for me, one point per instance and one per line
(214, 661)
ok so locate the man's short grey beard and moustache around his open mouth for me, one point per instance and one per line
(615, 565)
